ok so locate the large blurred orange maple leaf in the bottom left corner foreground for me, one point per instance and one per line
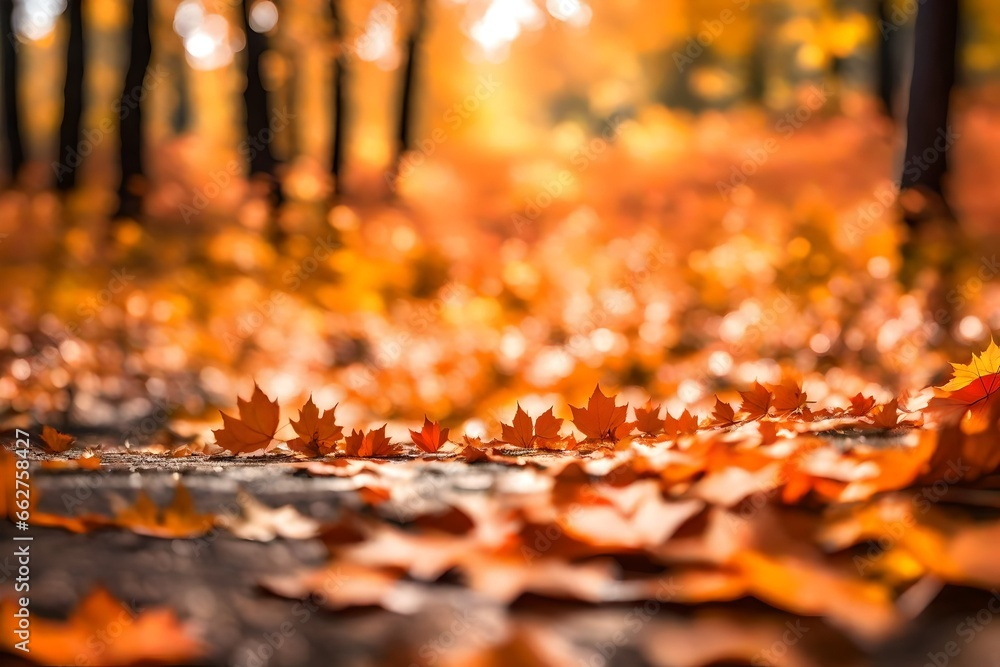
(149, 637)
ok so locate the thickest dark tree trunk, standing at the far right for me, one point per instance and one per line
(927, 134)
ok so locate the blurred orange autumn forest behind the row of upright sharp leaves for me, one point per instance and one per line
(527, 197)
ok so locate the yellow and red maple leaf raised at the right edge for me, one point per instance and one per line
(971, 390)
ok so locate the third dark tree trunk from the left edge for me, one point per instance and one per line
(130, 114)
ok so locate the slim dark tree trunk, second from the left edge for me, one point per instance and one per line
(69, 129)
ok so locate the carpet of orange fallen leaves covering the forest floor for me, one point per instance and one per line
(627, 428)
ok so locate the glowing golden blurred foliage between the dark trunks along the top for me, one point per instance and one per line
(562, 69)
